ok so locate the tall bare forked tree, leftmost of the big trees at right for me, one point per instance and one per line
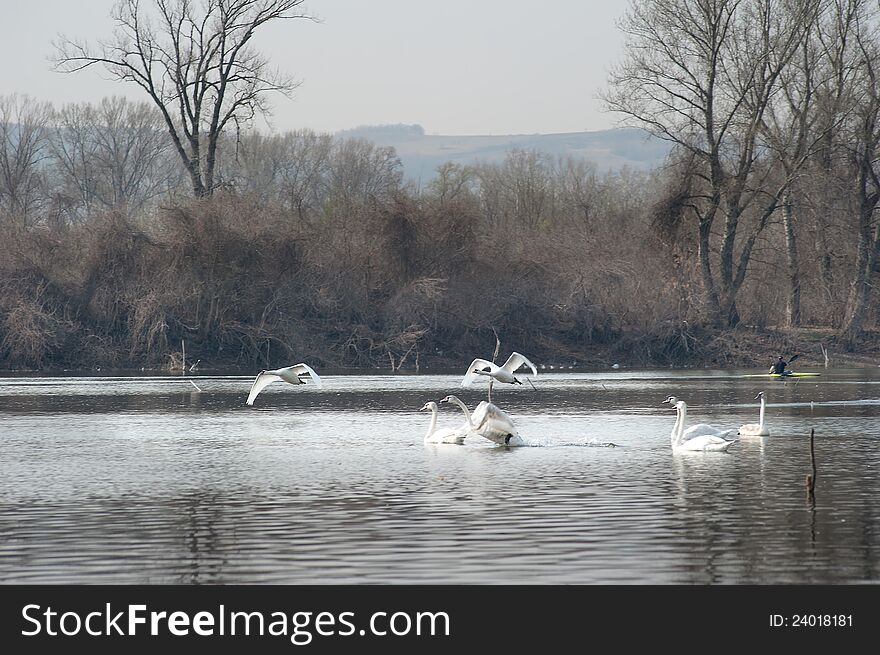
(700, 74)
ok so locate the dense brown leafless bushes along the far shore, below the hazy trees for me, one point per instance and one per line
(410, 284)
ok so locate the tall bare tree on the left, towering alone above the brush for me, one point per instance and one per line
(195, 62)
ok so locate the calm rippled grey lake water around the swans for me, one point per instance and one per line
(147, 480)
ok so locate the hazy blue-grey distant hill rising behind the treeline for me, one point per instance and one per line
(421, 154)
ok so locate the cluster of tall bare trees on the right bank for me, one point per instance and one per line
(774, 110)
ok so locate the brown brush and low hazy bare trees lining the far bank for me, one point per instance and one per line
(315, 248)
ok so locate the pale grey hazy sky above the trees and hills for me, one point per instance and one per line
(455, 67)
